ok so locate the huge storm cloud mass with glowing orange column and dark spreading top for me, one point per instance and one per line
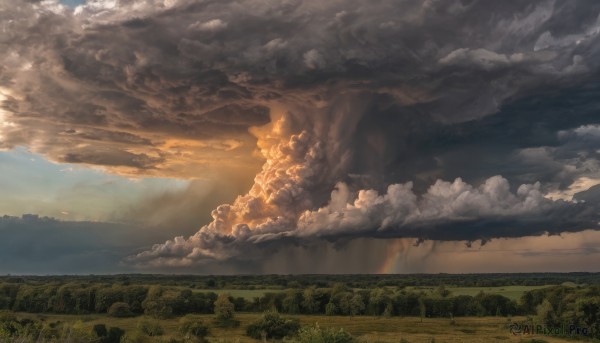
(384, 99)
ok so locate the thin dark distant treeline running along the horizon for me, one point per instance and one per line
(319, 281)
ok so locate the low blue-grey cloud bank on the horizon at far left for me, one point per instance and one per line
(48, 246)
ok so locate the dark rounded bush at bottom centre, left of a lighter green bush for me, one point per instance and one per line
(271, 325)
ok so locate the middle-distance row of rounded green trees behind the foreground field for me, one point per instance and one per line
(164, 302)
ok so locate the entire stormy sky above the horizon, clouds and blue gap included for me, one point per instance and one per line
(299, 136)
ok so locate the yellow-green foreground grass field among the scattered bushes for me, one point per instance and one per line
(370, 329)
